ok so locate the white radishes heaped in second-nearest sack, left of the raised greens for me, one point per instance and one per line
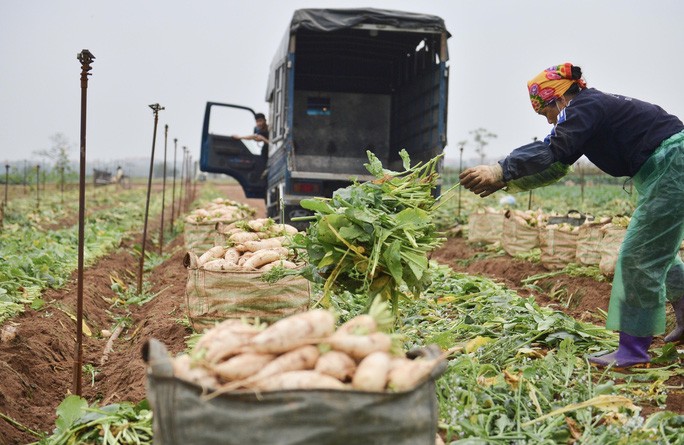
(257, 244)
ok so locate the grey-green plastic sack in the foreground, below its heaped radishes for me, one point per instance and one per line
(290, 417)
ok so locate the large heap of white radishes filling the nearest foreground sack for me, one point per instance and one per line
(303, 351)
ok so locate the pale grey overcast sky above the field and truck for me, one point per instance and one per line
(183, 53)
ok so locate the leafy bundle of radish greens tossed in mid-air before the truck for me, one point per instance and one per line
(373, 238)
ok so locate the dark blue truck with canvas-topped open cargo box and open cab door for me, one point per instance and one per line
(342, 82)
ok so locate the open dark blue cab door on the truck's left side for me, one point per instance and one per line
(221, 153)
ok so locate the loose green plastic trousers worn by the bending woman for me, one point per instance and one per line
(649, 269)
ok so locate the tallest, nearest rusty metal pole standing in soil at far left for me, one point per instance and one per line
(86, 58)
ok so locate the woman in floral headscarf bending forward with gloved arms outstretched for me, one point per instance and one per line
(623, 137)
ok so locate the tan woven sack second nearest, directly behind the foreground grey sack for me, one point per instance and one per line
(213, 296)
